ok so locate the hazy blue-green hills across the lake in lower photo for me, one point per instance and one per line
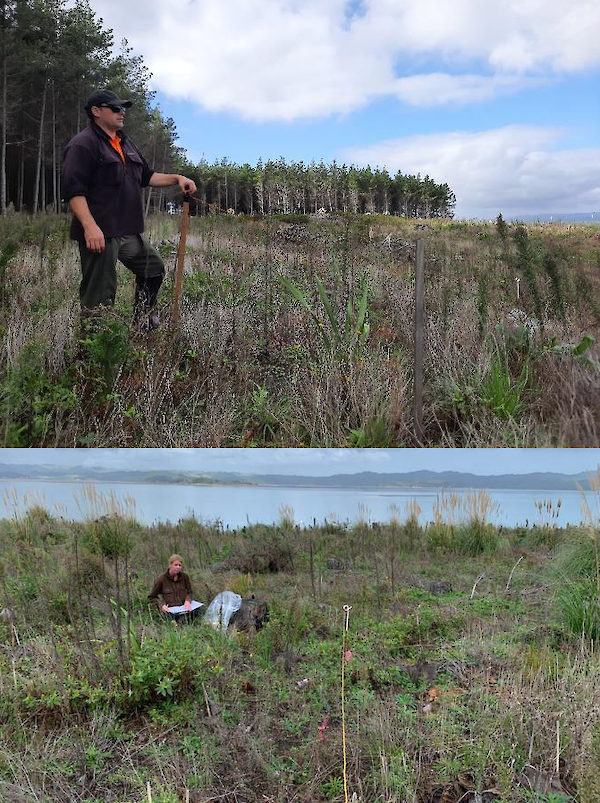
(539, 481)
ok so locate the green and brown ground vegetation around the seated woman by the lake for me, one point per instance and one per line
(469, 667)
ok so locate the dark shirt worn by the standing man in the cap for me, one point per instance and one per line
(93, 168)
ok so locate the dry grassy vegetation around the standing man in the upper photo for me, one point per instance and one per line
(298, 331)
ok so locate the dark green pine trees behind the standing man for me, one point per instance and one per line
(52, 57)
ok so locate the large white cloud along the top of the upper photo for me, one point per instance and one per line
(289, 59)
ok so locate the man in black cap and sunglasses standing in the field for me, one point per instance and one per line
(102, 176)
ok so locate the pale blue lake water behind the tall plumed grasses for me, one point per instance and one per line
(236, 506)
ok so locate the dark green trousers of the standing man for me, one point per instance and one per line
(99, 283)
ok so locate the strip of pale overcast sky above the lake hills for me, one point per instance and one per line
(318, 462)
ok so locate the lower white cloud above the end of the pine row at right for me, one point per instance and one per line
(514, 170)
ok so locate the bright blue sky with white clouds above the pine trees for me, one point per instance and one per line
(499, 100)
